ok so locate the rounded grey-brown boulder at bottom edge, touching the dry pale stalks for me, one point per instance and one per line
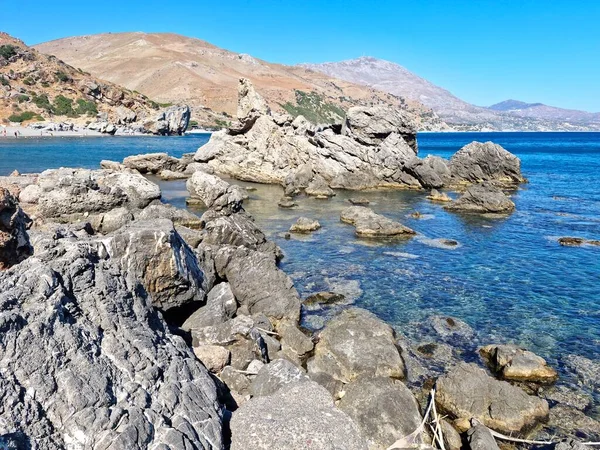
(384, 410)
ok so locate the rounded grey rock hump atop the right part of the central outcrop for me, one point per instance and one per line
(372, 125)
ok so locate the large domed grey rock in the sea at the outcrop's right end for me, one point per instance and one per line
(477, 162)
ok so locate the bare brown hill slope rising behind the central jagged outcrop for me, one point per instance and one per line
(174, 68)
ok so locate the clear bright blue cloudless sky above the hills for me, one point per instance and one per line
(481, 50)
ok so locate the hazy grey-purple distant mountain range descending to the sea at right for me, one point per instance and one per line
(509, 115)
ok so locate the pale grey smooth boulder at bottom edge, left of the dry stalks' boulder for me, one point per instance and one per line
(295, 416)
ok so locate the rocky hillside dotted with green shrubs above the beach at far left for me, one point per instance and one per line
(35, 87)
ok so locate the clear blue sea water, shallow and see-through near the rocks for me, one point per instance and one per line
(508, 278)
